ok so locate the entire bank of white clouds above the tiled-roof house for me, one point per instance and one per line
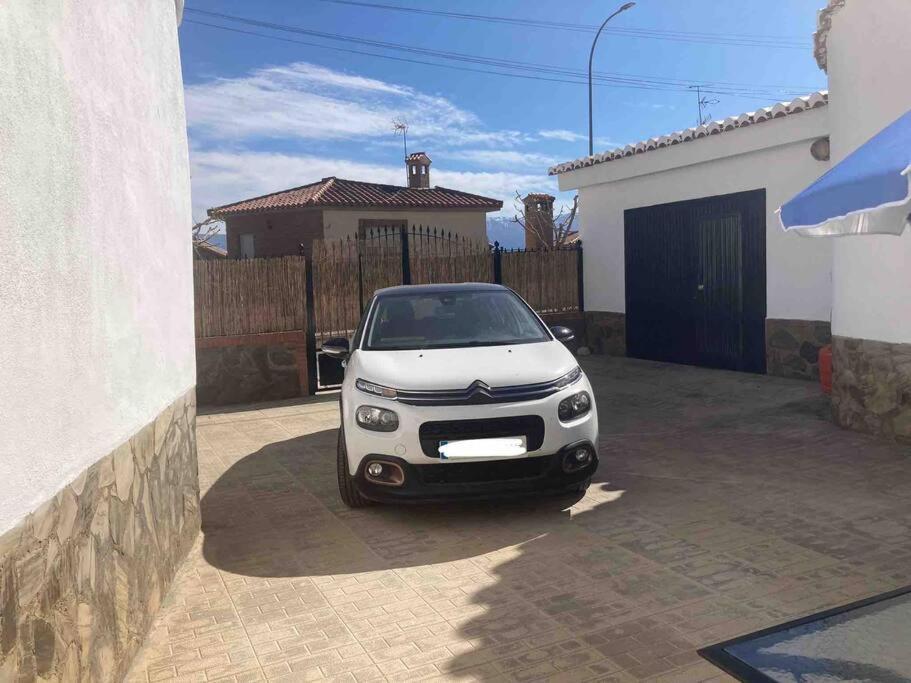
(305, 104)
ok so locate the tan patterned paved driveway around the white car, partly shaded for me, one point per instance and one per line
(725, 503)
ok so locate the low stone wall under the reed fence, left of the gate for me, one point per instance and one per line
(247, 374)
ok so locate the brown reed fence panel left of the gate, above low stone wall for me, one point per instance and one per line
(252, 296)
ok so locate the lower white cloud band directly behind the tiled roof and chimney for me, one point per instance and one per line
(221, 177)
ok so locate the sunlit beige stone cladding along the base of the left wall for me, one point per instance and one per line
(82, 576)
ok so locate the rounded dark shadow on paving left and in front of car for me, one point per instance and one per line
(277, 513)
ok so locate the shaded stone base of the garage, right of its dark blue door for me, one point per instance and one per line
(792, 347)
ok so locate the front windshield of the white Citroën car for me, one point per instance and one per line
(445, 320)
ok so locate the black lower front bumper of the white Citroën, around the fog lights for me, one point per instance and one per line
(476, 480)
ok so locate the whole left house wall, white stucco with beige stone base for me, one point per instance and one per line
(99, 493)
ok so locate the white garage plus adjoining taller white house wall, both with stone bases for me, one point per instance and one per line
(684, 255)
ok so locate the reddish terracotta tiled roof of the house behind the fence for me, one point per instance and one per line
(336, 192)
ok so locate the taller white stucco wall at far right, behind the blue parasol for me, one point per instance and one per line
(869, 58)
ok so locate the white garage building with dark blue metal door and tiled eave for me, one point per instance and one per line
(684, 257)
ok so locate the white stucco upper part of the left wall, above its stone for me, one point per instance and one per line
(96, 326)
